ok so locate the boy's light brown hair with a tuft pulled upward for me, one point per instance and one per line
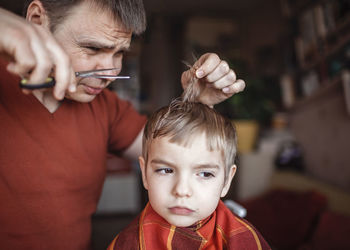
(184, 119)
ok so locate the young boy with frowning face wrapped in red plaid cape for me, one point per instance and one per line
(187, 164)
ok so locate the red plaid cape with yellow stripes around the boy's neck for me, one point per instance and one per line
(221, 230)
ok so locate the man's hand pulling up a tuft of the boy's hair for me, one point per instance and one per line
(218, 82)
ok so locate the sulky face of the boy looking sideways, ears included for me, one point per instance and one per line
(184, 183)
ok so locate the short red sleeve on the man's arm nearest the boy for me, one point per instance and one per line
(125, 123)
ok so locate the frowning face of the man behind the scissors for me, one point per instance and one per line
(93, 40)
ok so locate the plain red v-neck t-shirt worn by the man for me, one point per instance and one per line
(52, 166)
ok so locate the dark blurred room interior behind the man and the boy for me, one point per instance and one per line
(293, 119)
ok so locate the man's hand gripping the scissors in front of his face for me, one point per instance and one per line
(34, 53)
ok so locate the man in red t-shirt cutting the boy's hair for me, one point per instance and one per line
(55, 141)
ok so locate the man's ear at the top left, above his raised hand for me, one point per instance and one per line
(37, 14)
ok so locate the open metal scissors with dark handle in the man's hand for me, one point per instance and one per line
(50, 81)
